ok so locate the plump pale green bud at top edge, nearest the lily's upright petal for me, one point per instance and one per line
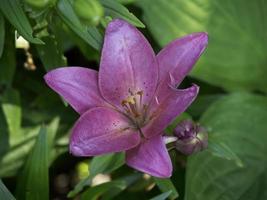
(89, 11)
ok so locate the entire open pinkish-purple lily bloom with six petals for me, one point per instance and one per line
(130, 101)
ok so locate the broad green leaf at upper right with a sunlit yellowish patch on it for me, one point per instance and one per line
(235, 58)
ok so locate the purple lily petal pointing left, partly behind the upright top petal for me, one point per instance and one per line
(77, 85)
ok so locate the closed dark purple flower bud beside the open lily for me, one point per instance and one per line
(192, 138)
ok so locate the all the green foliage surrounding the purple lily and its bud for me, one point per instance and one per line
(232, 105)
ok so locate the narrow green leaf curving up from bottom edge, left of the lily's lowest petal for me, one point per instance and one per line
(94, 193)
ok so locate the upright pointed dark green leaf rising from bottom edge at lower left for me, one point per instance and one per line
(34, 183)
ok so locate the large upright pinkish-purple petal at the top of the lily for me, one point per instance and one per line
(128, 64)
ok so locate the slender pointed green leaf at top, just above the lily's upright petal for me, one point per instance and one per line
(117, 10)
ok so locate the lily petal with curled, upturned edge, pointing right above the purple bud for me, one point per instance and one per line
(165, 110)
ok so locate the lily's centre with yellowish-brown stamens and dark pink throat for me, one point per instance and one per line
(135, 109)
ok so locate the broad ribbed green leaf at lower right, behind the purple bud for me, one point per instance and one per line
(239, 121)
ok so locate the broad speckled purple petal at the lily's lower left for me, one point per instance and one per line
(102, 130)
